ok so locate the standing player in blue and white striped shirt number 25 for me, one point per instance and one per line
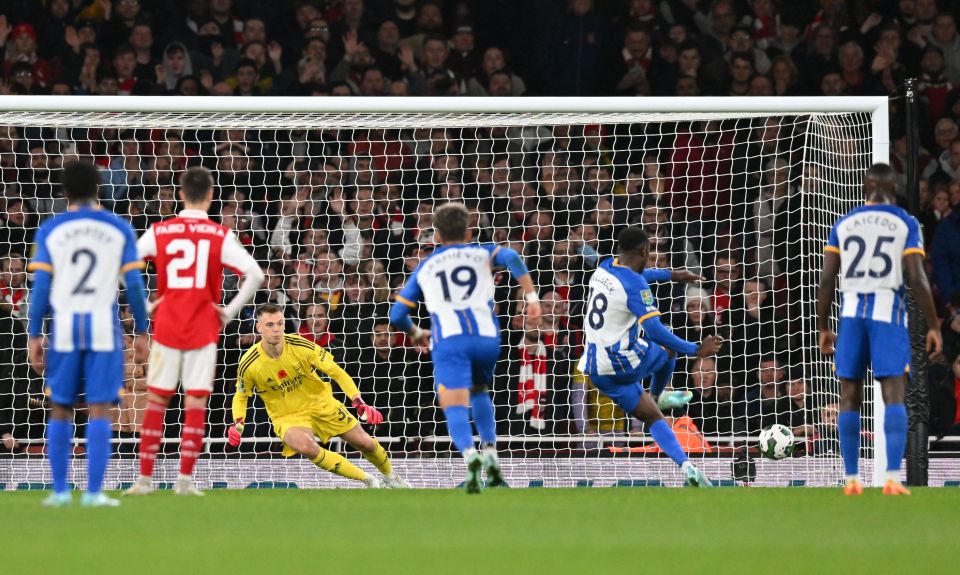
(870, 248)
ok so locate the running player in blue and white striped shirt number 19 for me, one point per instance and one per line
(456, 284)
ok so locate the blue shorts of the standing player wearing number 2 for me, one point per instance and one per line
(97, 374)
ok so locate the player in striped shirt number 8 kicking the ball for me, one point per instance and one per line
(617, 359)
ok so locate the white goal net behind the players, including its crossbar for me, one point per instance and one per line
(337, 207)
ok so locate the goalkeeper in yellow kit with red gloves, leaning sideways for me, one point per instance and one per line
(283, 369)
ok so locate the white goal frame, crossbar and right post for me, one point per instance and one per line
(663, 108)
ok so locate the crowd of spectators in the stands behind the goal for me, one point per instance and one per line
(339, 217)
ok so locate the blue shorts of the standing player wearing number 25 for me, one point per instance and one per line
(885, 345)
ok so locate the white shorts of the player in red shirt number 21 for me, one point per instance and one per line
(194, 367)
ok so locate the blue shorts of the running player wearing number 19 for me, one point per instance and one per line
(464, 361)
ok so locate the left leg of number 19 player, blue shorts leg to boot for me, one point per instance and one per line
(451, 368)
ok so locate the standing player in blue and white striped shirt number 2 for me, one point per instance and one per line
(80, 256)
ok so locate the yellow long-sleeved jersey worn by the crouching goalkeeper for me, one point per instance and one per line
(290, 384)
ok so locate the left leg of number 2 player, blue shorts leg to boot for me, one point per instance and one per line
(62, 375)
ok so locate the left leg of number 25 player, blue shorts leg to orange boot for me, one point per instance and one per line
(851, 364)
